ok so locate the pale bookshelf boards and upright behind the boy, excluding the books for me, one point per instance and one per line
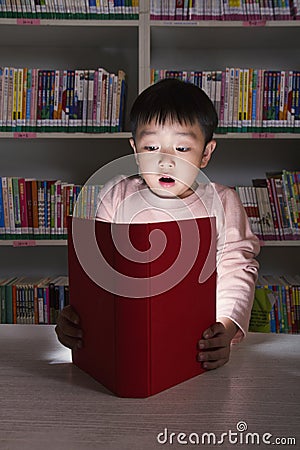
(137, 46)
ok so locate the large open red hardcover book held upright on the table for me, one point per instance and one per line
(142, 314)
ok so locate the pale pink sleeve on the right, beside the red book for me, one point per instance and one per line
(238, 268)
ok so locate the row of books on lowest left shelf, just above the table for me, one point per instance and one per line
(32, 300)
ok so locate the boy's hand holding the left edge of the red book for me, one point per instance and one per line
(68, 330)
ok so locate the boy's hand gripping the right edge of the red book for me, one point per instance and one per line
(215, 344)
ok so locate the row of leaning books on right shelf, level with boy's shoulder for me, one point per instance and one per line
(273, 205)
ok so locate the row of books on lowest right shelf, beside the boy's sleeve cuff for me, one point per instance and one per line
(276, 306)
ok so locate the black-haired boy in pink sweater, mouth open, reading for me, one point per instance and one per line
(172, 125)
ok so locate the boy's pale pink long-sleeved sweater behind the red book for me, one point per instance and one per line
(130, 200)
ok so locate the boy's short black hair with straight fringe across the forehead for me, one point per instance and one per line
(178, 101)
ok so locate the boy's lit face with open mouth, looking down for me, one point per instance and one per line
(170, 156)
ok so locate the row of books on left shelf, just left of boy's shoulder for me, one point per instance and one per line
(38, 209)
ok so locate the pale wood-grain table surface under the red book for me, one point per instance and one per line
(48, 403)
